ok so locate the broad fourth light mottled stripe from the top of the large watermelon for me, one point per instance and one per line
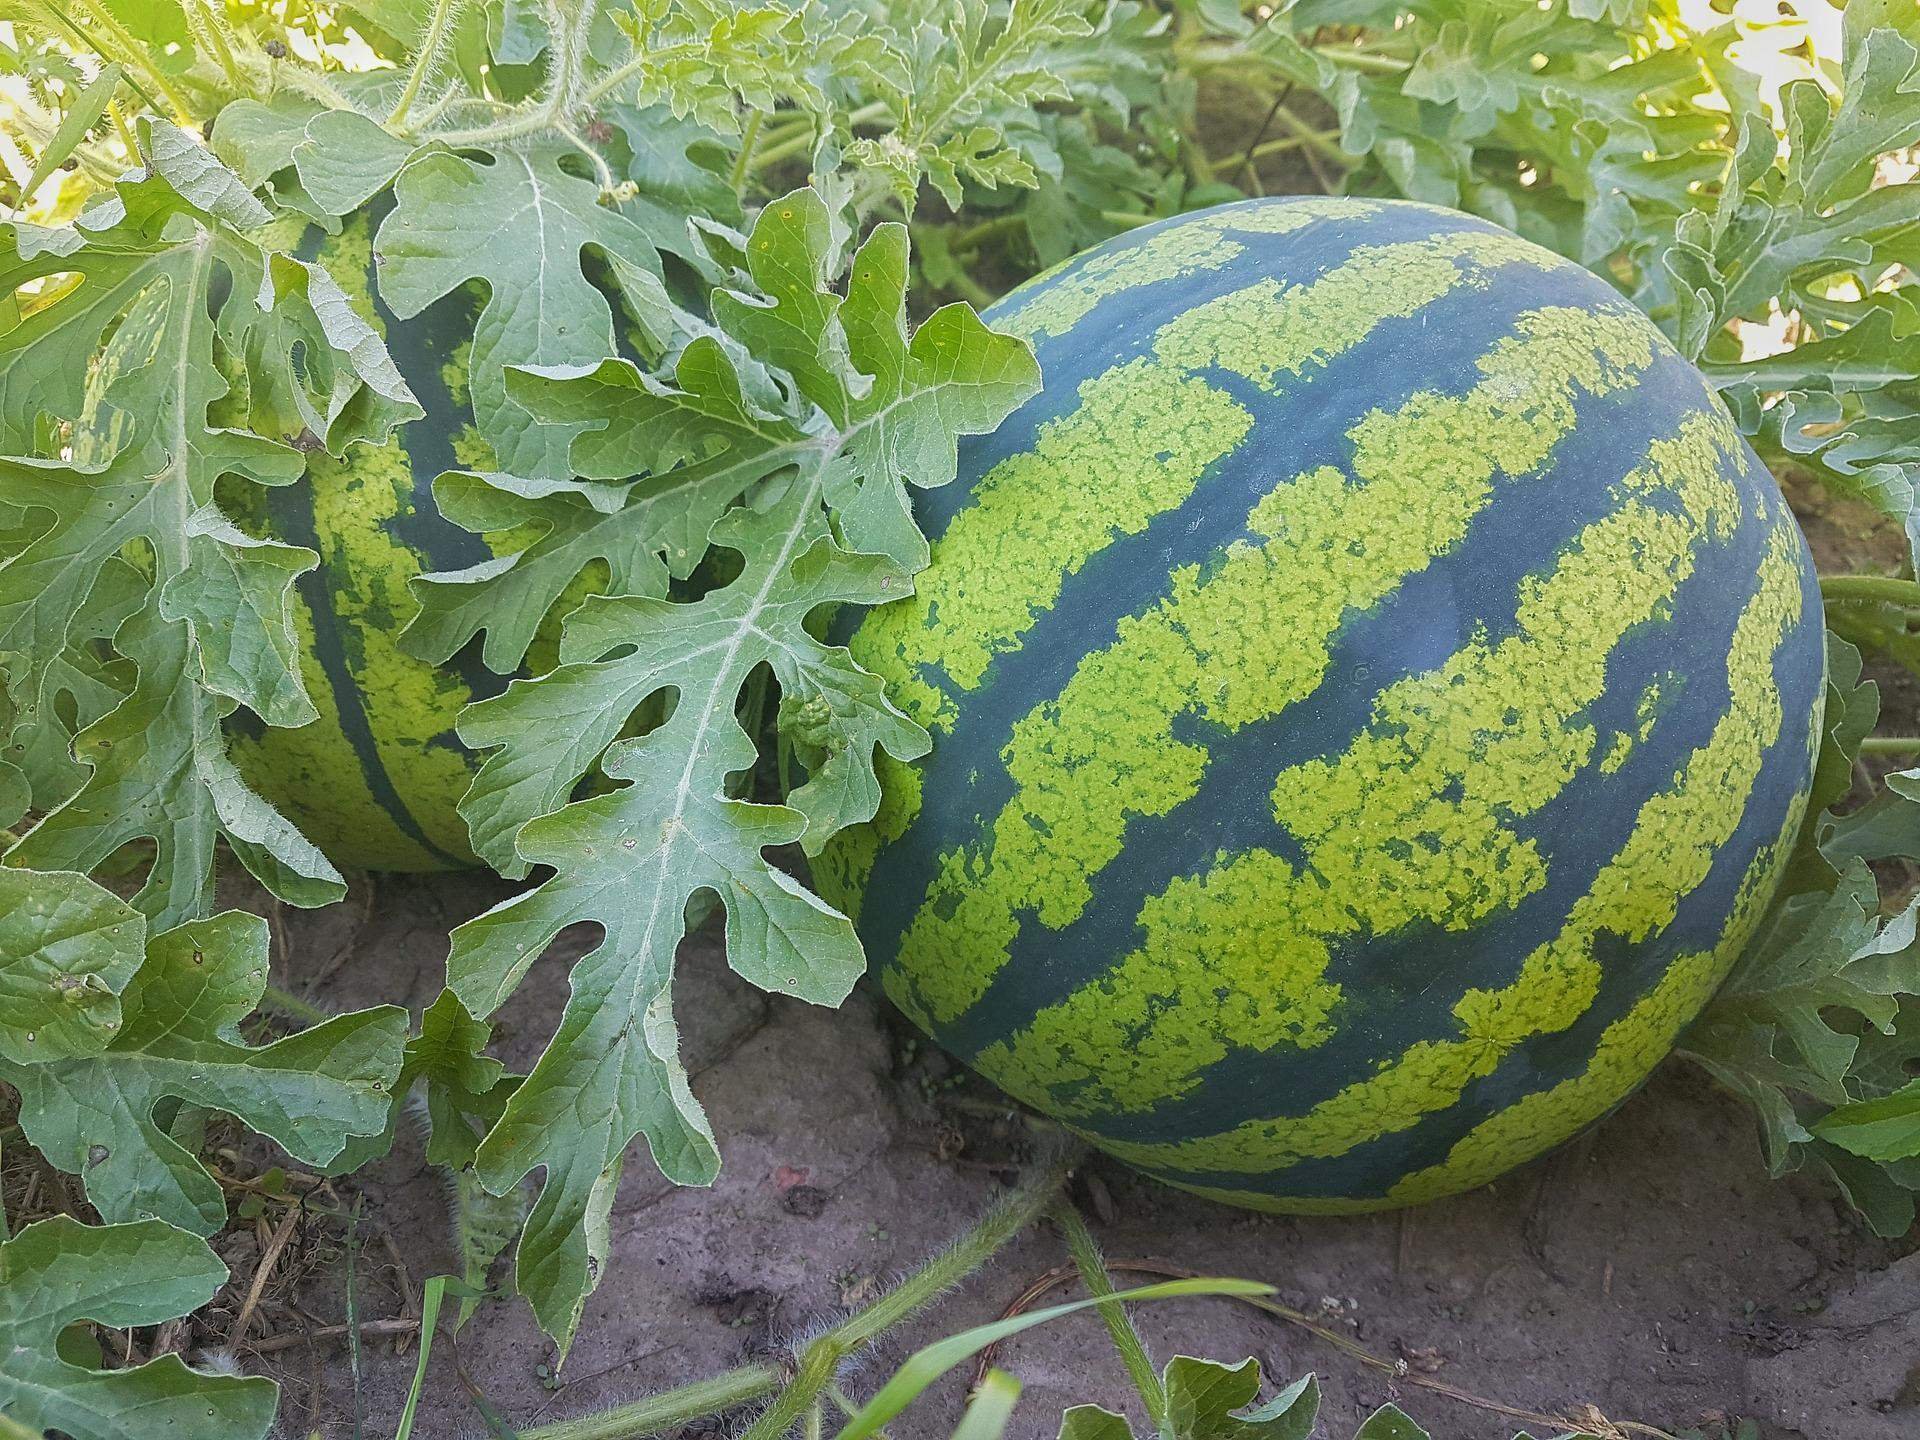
(1412, 823)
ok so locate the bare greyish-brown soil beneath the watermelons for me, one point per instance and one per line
(1650, 1270)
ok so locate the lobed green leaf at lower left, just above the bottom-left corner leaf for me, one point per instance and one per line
(103, 1116)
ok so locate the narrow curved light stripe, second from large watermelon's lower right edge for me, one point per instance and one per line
(1668, 855)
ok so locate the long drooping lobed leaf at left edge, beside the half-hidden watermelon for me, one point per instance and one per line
(185, 360)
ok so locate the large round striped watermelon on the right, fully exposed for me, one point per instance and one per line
(1374, 688)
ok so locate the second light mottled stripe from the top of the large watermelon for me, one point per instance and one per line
(1134, 448)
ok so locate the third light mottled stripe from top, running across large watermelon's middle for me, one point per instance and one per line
(1247, 636)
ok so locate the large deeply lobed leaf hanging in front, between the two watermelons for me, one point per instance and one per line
(865, 410)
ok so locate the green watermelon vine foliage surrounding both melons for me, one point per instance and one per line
(721, 272)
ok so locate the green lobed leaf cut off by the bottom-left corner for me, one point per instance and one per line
(60, 1272)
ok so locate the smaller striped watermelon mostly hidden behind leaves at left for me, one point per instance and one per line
(375, 782)
